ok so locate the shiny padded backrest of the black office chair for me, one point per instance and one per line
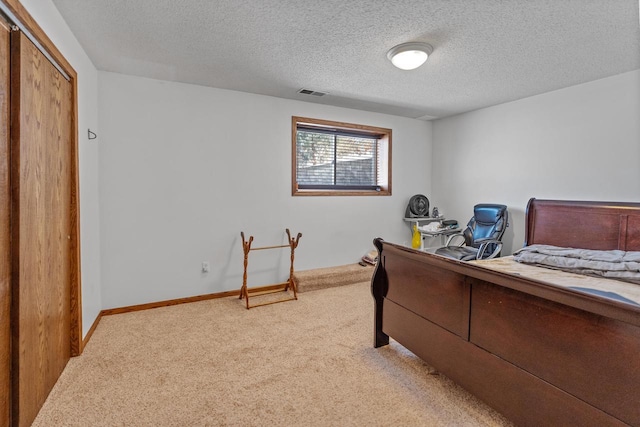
(489, 221)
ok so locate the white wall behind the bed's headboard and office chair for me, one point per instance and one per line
(580, 143)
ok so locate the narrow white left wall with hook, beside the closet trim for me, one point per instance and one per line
(47, 16)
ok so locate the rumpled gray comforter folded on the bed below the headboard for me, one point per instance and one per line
(615, 264)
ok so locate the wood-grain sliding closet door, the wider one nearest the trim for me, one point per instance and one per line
(41, 117)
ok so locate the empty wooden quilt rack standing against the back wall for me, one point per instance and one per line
(276, 287)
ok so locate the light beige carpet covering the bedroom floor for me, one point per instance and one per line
(213, 363)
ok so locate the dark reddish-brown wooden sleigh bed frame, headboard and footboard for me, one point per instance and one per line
(539, 354)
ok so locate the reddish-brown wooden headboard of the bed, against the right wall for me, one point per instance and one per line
(586, 225)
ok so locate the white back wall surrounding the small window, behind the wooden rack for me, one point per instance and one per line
(185, 168)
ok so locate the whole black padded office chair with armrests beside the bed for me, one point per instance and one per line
(482, 237)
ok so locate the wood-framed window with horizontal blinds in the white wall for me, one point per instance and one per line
(339, 159)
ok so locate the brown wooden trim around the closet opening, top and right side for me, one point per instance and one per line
(75, 297)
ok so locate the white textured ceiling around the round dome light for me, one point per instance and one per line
(486, 52)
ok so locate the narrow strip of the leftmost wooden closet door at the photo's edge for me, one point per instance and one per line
(5, 248)
